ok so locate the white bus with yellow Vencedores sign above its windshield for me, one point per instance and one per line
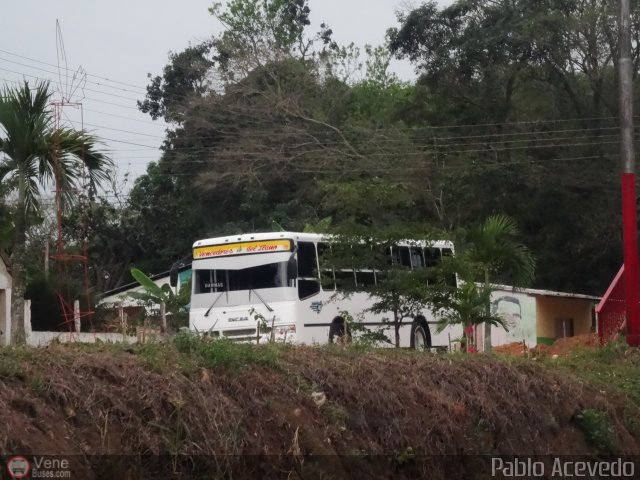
(275, 277)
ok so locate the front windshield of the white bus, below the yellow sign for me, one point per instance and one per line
(270, 275)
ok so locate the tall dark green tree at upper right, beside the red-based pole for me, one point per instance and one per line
(522, 119)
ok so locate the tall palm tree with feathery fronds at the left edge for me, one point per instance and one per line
(31, 148)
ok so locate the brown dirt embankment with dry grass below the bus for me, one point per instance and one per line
(313, 414)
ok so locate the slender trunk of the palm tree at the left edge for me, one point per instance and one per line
(18, 274)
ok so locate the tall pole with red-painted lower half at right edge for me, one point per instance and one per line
(629, 218)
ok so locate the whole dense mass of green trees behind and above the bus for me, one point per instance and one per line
(513, 112)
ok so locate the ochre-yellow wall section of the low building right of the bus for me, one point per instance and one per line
(551, 309)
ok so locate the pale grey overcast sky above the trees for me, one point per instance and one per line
(119, 42)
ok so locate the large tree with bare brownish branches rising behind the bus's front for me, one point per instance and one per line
(262, 129)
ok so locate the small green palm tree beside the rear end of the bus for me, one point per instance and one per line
(492, 253)
